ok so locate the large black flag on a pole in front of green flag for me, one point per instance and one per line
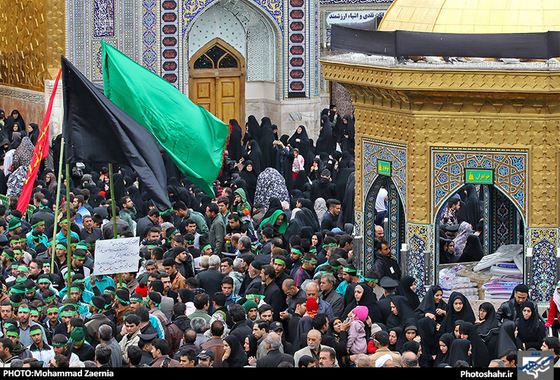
(95, 130)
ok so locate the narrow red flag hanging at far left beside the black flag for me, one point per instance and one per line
(40, 152)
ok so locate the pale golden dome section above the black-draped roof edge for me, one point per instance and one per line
(473, 16)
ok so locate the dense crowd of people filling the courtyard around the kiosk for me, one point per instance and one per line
(262, 274)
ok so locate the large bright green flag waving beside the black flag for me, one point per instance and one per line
(193, 137)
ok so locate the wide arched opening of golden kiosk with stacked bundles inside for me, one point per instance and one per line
(500, 231)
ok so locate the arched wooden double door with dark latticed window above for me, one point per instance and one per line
(217, 80)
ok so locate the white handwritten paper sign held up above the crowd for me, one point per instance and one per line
(116, 256)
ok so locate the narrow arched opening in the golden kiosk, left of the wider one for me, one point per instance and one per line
(393, 224)
